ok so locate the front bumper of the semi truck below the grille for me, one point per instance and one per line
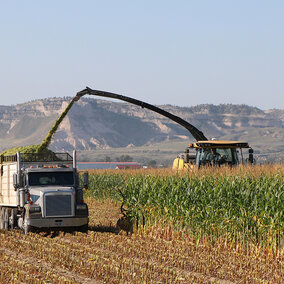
(58, 222)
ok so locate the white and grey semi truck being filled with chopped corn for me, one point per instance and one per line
(41, 191)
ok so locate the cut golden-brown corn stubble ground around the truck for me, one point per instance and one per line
(154, 255)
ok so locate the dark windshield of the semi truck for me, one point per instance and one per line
(51, 178)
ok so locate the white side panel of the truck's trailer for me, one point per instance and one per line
(8, 196)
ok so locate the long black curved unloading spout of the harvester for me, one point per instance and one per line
(197, 134)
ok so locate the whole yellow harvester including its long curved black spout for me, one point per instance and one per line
(207, 152)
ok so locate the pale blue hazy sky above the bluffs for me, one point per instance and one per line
(163, 52)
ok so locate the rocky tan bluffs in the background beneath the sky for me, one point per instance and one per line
(95, 124)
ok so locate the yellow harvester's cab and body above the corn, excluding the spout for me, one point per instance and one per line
(214, 153)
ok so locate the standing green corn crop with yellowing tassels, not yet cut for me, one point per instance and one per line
(242, 206)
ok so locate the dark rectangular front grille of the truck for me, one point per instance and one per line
(58, 205)
